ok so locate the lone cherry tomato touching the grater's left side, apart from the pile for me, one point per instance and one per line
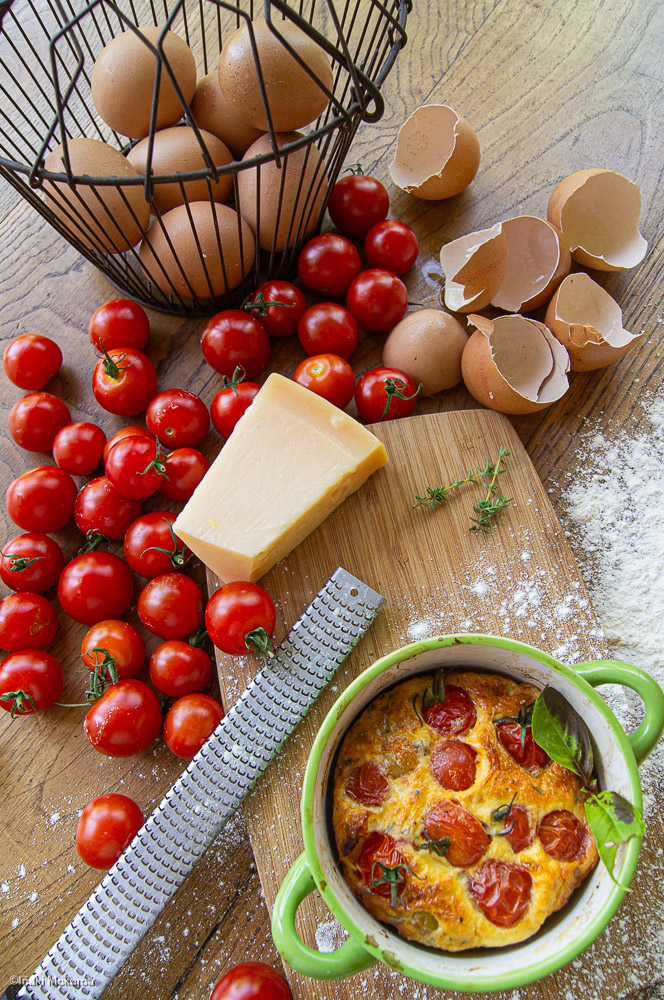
(106, 826)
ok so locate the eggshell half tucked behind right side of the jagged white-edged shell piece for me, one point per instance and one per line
(537, 261)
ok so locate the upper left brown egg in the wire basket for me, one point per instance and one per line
(123, 81)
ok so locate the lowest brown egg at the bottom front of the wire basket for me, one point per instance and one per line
(192, 272)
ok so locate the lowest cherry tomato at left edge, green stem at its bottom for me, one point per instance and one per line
(30, 681)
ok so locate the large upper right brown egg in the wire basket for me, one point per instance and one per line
(294, 98)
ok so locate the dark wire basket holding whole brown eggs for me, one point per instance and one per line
(47, 51)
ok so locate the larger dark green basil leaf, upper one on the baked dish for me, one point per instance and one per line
(559, 730)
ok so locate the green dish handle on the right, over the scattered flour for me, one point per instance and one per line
(643, 739)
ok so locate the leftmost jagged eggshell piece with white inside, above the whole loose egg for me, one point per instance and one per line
(475, 266)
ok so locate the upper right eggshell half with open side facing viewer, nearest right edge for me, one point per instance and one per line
(597, 212)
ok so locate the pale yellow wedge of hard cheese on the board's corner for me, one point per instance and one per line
(291, 460)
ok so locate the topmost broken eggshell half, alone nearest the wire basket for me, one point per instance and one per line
(437, 154)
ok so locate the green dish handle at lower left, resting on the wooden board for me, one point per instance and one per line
(350, 958)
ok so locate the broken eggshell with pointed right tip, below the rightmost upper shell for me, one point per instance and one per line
(588, 323)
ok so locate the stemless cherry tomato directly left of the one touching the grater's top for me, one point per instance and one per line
(171, 606)
